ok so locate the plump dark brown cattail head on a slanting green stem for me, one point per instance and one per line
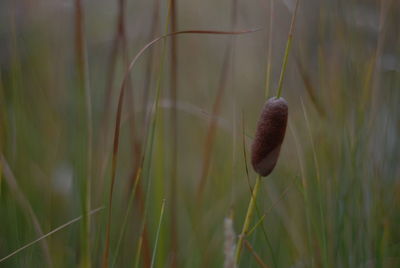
(269, 136)
